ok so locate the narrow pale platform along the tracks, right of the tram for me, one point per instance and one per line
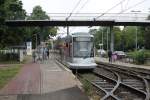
(100, 59)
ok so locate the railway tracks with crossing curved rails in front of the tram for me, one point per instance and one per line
(114, 83)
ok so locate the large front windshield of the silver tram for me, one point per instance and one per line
(83, 47)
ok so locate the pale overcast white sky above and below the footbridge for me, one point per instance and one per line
(86, 6)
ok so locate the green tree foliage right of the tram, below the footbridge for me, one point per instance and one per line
(123, 40)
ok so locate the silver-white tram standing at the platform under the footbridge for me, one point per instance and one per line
(77, 51)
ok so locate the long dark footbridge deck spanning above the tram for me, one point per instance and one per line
(41, 23)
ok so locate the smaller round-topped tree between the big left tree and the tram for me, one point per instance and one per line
(42, 33)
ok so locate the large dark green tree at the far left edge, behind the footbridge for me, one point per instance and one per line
(12, 9)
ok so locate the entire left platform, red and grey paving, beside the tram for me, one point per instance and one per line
(44, 80)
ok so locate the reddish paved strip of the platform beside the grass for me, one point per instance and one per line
(26, 82)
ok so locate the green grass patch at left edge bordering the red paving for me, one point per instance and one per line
(6, 74)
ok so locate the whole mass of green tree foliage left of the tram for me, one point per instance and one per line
(13, 10)
